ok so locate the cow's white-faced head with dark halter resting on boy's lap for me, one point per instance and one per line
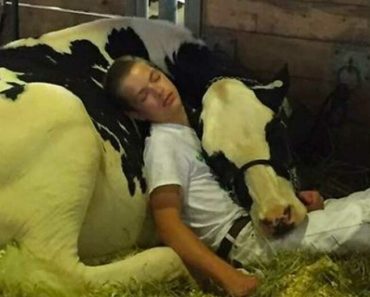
(244, 140)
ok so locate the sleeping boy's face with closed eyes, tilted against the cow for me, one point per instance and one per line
(151, 94)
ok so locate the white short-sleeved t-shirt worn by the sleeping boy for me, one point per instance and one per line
(172, 155)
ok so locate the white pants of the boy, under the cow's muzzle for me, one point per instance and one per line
(343, 225)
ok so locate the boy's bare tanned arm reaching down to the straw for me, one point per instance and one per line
(165, 203)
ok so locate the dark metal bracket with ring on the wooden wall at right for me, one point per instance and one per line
(352, 66)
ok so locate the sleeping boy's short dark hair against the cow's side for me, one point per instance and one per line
(116, 73)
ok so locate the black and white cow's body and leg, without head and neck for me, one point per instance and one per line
(71, 183)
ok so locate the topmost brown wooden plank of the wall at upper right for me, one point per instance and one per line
(308, 20)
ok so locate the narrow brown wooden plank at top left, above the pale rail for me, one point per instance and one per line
(101, 6)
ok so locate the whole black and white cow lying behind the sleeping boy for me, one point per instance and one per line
(71, 180)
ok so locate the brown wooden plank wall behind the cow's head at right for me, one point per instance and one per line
(317, 38)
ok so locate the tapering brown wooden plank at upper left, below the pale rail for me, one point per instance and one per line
(30, 25)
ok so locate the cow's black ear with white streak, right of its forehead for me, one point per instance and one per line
(272, 95)
